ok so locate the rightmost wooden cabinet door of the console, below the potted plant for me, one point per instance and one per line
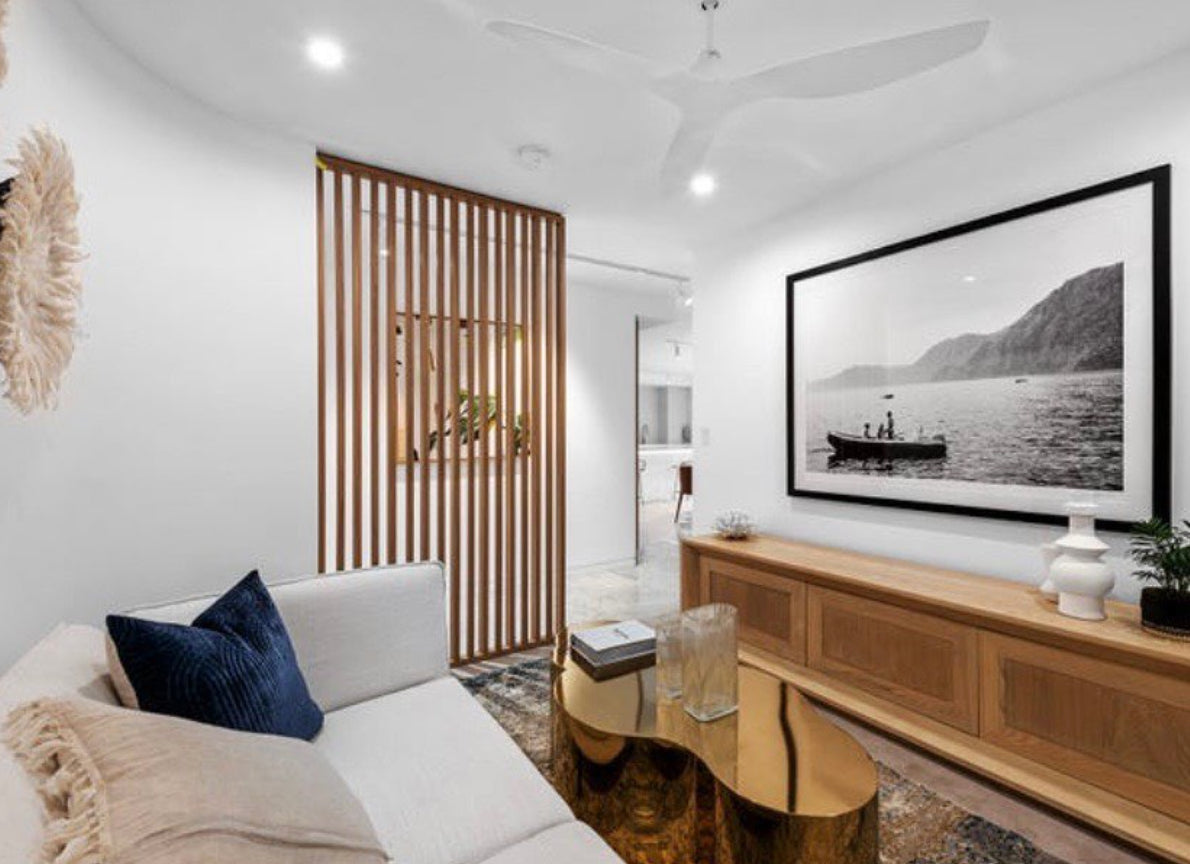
(1123, 729)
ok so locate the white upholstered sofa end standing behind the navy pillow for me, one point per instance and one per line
(358, 635)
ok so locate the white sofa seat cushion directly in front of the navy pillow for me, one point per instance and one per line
(441, 780)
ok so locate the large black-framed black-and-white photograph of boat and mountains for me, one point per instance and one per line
(1000, 368)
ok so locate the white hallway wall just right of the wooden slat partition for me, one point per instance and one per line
(602, 385)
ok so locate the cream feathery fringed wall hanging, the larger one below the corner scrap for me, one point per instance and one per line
(40, 284)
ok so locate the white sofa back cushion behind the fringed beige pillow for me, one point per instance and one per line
(68, 662)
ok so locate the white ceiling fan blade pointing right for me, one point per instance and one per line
(865, 67)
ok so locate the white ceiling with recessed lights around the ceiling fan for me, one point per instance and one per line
(427, 91)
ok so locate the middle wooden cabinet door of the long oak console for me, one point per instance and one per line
(920, 662)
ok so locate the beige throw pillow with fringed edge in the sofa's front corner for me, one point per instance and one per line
(135, 788)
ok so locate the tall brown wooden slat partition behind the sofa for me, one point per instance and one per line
(448, 362)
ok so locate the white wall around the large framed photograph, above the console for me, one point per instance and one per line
(1136, 123)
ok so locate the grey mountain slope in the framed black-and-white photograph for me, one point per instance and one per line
(1078, 328)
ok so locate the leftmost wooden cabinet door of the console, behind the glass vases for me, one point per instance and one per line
(772, 609)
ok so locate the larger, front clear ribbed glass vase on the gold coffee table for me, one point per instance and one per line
(710, 665)
